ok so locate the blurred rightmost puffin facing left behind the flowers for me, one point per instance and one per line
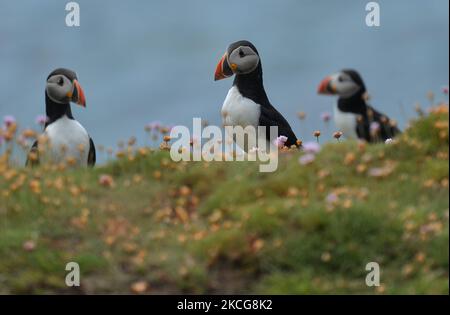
(353, 116)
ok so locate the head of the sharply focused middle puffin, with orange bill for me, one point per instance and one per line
(241, 57)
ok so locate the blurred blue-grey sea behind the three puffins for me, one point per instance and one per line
(142, 61)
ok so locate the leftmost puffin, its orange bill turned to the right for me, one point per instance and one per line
(64, 139)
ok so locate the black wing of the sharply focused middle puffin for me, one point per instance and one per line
(271, 117)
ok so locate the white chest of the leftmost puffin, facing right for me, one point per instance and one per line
(67, 138)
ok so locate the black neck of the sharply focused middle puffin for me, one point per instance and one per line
(251, 86)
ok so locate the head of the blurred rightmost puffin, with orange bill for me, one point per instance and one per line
(345, 83)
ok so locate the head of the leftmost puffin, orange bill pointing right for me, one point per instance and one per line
(63, 87)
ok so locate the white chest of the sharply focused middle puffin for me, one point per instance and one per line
(238, 110)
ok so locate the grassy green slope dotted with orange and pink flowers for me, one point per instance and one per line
(165, 227)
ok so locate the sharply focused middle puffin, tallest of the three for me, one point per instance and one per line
(246, 103)
